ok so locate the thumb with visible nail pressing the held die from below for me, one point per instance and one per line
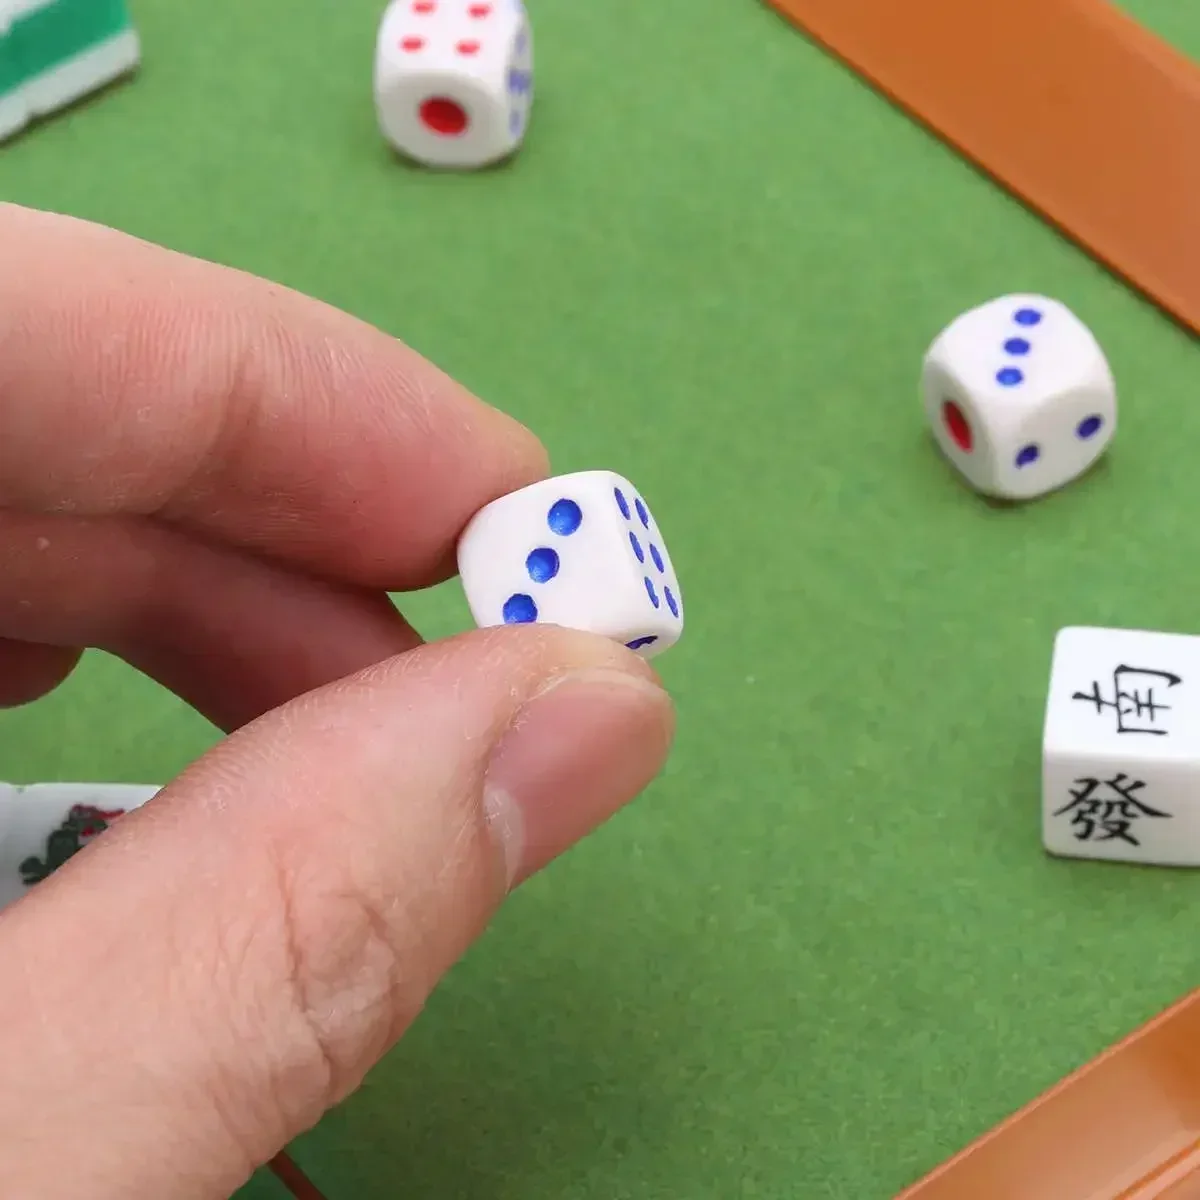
(202, 982)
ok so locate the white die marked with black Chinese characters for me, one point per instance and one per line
(1121, 748)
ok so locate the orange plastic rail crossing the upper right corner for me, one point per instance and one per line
(1071, 105)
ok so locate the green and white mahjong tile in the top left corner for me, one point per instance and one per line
(56, 52)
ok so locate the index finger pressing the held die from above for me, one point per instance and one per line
(137, 381)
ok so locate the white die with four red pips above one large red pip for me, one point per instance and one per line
(454, 80)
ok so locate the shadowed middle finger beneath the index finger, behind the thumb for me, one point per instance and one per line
(231, 634)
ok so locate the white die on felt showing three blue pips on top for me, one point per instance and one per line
(1019, 397)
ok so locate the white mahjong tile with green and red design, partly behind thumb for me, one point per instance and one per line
(44, 825)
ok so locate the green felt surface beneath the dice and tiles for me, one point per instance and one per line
(826, 950)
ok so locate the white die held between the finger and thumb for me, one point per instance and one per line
(581, 551)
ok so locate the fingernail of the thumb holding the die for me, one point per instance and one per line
(579, 751)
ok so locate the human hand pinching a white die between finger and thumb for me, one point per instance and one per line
(218, 481)
